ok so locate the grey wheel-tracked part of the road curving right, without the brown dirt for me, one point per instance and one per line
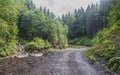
(73, 62)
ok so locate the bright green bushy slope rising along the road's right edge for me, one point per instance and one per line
(106, 48)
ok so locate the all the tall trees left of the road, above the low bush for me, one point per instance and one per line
(20, 20)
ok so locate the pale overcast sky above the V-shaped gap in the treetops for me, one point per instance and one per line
(59, 7)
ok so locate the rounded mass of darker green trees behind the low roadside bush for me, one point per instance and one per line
(34, 23)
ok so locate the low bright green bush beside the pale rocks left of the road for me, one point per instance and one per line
(37, 44)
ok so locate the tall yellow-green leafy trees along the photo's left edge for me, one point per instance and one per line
(8, 27)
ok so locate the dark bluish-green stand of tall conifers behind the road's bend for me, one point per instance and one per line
(86, 24)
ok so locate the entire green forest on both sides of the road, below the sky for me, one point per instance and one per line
(38, 29)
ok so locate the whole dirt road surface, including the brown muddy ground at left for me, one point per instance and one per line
(70, 62)
